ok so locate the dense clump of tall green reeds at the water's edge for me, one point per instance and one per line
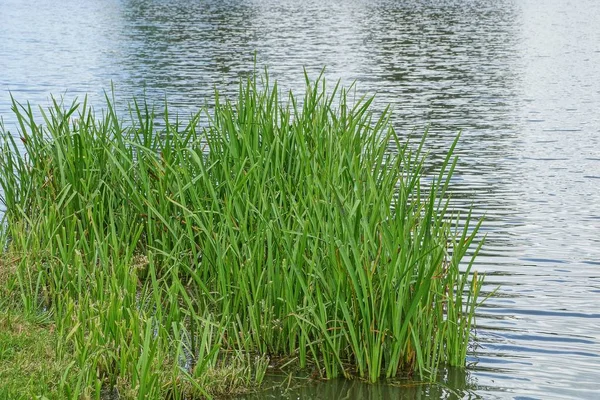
(179, 261)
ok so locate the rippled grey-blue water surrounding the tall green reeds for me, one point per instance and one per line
(520, 79)
